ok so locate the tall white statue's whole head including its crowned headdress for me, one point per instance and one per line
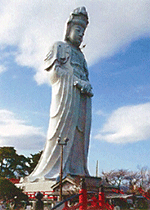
(76, 26)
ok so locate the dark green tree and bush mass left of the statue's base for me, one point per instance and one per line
(13, 165)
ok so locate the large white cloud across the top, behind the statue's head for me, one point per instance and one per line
(33, 26)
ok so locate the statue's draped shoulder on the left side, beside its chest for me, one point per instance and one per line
(60, 52)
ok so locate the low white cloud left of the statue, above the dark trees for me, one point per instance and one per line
(17, 133)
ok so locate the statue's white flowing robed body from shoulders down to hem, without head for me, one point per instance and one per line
(70, 114)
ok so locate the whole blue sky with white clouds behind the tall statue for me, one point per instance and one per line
(118, 55)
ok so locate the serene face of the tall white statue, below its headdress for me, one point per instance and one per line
(76, 35)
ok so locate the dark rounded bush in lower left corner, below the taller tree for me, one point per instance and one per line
(9, 191)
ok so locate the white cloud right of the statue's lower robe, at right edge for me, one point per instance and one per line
(127, 124)
